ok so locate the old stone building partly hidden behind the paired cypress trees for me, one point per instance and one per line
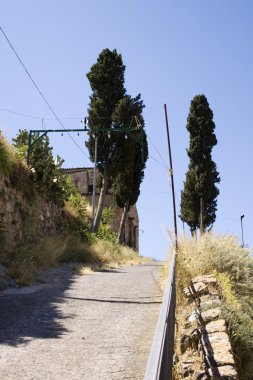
(83, 180)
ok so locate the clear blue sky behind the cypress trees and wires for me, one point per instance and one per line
(173, 50)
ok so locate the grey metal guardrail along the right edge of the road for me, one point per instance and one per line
(160, 360)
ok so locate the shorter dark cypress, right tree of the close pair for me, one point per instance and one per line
(126, 185)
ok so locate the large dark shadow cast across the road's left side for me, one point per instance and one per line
(24, 317)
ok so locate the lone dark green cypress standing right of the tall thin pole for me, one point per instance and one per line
(199, 203)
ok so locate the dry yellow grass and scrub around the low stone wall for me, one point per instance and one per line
(233, 266)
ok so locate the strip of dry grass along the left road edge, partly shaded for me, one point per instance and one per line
(27, 259)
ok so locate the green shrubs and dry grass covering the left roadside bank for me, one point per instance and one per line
(44, 182)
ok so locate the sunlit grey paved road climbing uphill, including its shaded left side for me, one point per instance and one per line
(97, 326)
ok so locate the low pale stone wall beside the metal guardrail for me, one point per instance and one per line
(205, 351)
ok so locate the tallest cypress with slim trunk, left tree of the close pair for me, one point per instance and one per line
(106, 79)
